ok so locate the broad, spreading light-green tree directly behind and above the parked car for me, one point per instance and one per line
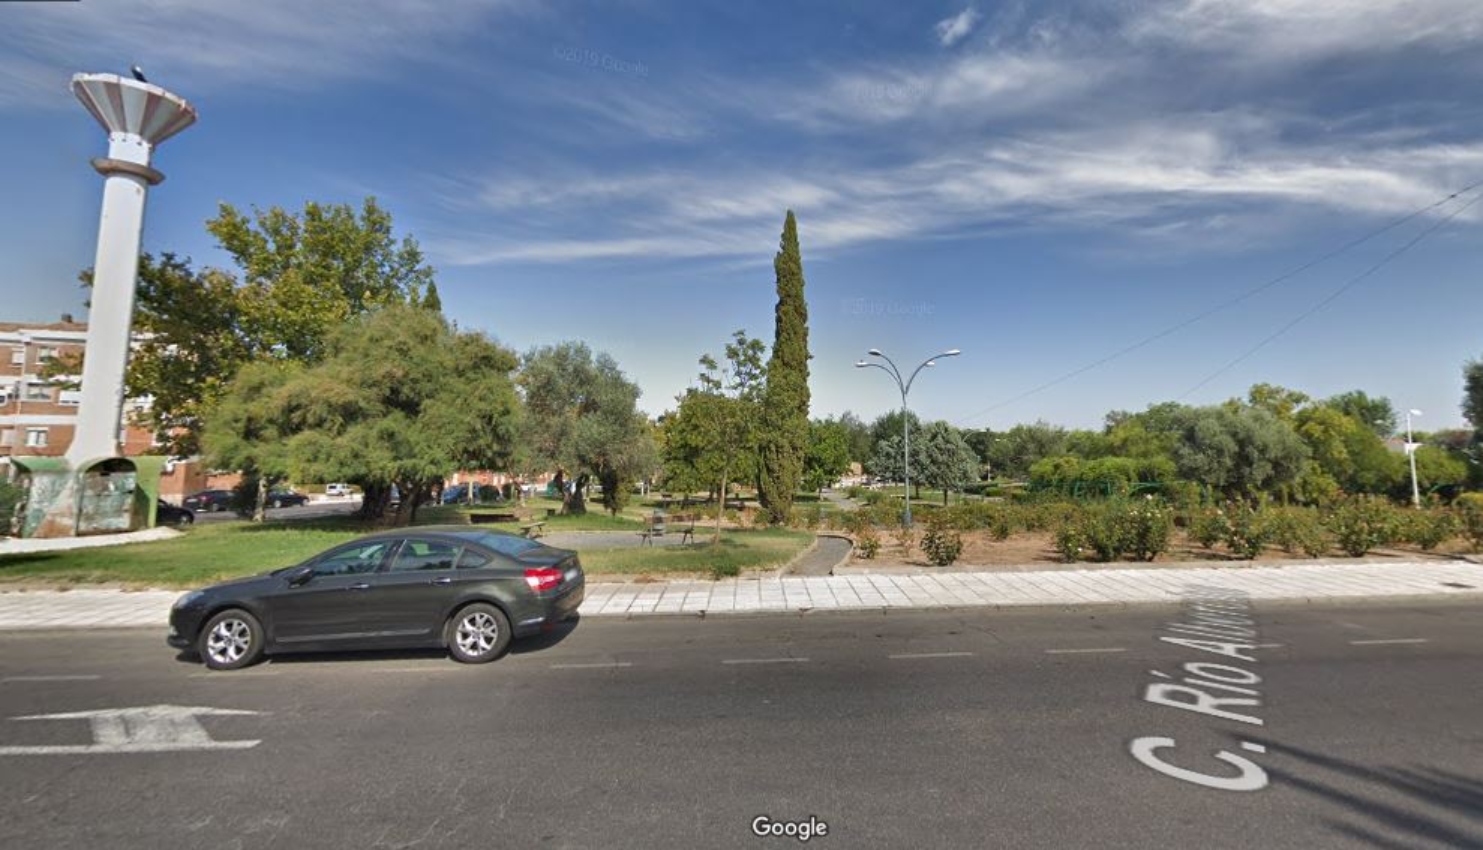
(401, 400)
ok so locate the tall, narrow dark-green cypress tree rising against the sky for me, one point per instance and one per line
(785, 404)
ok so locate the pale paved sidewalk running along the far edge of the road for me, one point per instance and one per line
(1304, 582)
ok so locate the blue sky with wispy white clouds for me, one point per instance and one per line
(1039, 185)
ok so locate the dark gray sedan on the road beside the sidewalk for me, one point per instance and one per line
(466, 590)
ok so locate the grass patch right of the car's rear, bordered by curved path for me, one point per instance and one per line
(738, 551)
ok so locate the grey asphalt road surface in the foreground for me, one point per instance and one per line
(994, 729)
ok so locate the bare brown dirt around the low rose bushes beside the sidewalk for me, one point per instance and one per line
(1039, 551)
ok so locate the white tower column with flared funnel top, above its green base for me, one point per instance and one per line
(137, 116)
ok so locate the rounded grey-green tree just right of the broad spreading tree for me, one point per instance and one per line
(582, 421)
